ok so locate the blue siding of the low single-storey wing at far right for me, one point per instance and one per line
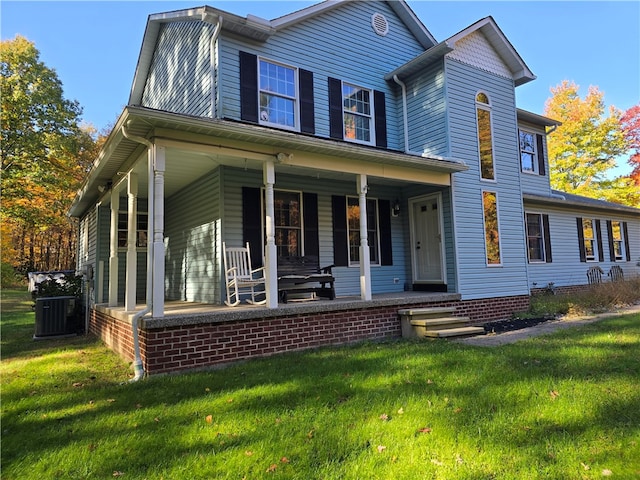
(566, 268)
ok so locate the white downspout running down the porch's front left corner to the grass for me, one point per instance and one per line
(137, 363)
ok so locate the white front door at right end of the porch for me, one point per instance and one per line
(426, 240)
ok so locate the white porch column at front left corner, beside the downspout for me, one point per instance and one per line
(158, 232)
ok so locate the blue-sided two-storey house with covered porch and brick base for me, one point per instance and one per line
(344, 132)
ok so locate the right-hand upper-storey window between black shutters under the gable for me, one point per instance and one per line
(357, 105)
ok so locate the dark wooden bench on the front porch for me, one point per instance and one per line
(304, 275)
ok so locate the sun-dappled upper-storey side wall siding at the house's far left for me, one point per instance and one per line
(180, 77)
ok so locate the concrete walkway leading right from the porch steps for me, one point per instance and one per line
(494, 340)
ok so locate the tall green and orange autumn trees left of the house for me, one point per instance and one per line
(45, 154)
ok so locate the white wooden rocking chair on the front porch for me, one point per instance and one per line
(240, 275)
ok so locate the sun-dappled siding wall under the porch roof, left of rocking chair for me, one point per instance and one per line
(192, 237)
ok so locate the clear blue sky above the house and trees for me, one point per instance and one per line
(94, 46)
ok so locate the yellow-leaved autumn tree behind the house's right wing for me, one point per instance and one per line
(584, 148)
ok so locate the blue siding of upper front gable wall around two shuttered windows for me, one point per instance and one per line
(350, 50)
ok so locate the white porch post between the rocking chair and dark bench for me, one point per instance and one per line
(271, 254)
